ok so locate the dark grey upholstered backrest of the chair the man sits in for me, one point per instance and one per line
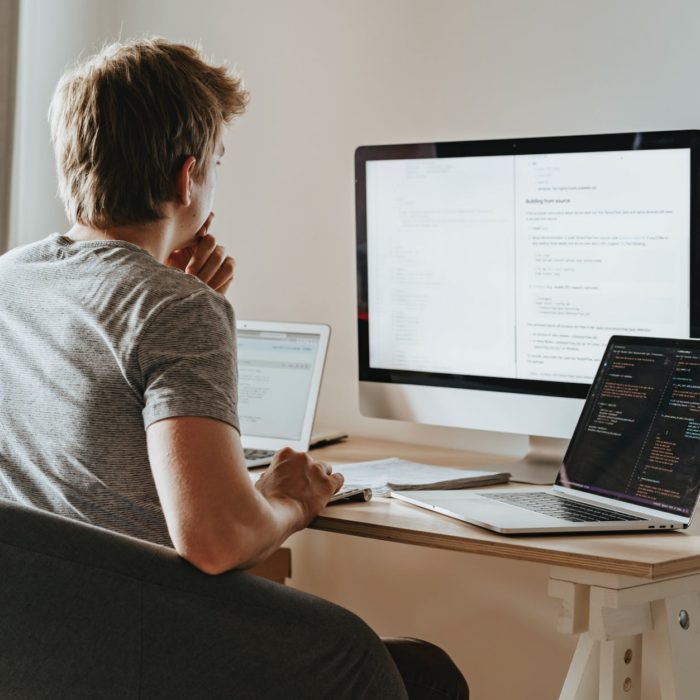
(86, 613)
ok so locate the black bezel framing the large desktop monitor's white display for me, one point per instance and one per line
(527, 146)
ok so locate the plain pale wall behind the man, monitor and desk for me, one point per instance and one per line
(326, 76)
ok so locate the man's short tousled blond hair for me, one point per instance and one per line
(125, 120)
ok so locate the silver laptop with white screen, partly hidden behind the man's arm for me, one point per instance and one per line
(279, 376)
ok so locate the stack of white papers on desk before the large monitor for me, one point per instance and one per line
(395, 474)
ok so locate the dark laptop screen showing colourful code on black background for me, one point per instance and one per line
(638, 437)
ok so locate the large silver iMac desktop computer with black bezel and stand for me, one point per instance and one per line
(491, 275)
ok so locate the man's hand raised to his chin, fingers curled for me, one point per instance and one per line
(206, 260)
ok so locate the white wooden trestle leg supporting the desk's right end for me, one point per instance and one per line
(612, 615)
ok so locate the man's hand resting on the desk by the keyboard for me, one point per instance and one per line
(295, 476)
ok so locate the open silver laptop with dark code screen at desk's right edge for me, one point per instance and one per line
(634, 459)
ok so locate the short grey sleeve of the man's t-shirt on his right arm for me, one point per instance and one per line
(187, 357)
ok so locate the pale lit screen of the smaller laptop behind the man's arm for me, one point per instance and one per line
(275, 373)
